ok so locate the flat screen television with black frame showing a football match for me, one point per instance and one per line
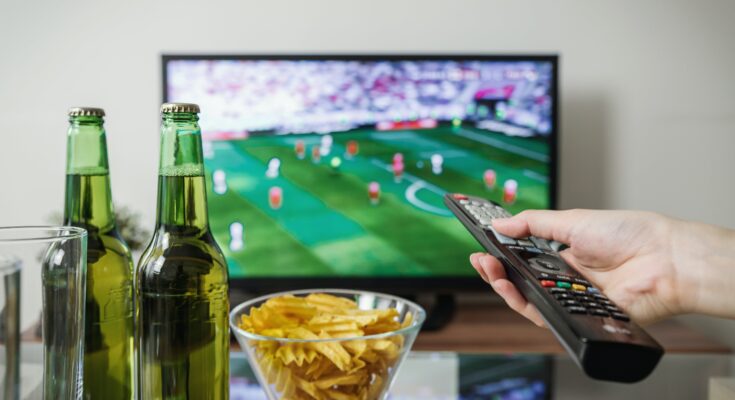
(329, 170)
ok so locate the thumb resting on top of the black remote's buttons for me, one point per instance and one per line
(555, 225)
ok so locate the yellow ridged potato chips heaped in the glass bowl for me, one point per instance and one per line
(355, 369)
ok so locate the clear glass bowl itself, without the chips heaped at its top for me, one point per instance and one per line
(374, 359)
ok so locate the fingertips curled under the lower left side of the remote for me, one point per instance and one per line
(492, 272)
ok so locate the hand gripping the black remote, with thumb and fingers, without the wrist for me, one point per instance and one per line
(628, 255)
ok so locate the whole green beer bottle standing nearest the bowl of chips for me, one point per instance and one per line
(182, 334)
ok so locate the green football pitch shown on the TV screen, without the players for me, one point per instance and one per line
(327, 226)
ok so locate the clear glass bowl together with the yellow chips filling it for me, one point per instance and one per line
(328, 344)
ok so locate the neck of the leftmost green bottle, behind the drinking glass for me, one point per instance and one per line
(88, 199)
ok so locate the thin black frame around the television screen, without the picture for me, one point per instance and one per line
(407, 285)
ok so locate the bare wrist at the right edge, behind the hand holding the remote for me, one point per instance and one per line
(704, 263)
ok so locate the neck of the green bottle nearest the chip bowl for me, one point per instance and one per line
(182, 198)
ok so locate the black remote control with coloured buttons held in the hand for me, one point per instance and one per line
(597, 334)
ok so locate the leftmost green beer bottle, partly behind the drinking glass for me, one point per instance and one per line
(108, 344)
